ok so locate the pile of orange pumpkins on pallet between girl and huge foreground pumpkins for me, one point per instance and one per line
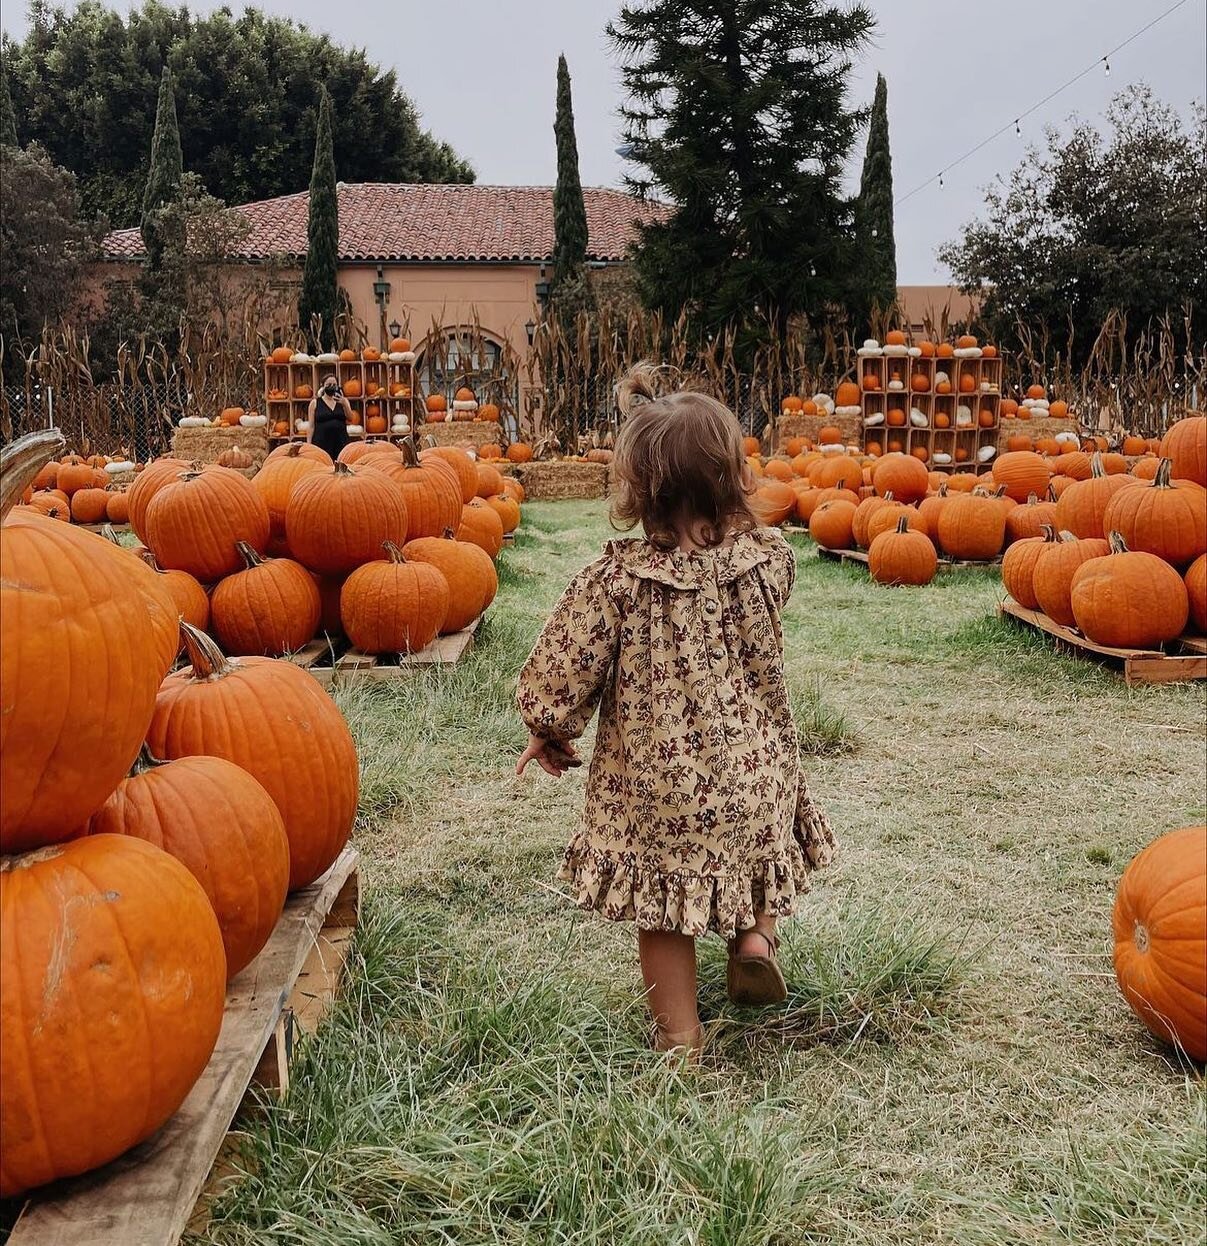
(388, 545)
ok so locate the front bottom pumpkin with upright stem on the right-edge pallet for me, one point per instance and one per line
(1129, 600)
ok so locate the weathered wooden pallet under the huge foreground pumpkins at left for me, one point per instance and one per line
(149, 1196)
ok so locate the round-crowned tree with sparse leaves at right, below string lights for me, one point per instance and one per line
(1093, 224)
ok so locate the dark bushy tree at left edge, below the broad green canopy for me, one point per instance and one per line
(44, 242)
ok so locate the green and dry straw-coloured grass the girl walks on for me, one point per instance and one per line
(955, 1063)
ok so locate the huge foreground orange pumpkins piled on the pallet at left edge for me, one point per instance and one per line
(151, 828)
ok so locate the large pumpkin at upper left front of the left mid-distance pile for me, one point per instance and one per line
(195, 524)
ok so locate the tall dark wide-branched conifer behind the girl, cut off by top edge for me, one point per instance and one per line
(739, 113)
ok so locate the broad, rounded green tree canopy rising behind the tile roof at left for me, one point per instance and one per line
(85, 84)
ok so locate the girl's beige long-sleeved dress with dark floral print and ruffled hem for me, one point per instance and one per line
(698, 817)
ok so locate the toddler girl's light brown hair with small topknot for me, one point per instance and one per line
(678, 462)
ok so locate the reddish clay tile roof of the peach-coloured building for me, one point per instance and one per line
(433, 222)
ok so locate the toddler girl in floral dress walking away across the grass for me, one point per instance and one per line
(698, 816)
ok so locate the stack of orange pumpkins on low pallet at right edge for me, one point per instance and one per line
(1124, 559)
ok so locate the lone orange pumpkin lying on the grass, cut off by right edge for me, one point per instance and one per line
(1160, 925)
